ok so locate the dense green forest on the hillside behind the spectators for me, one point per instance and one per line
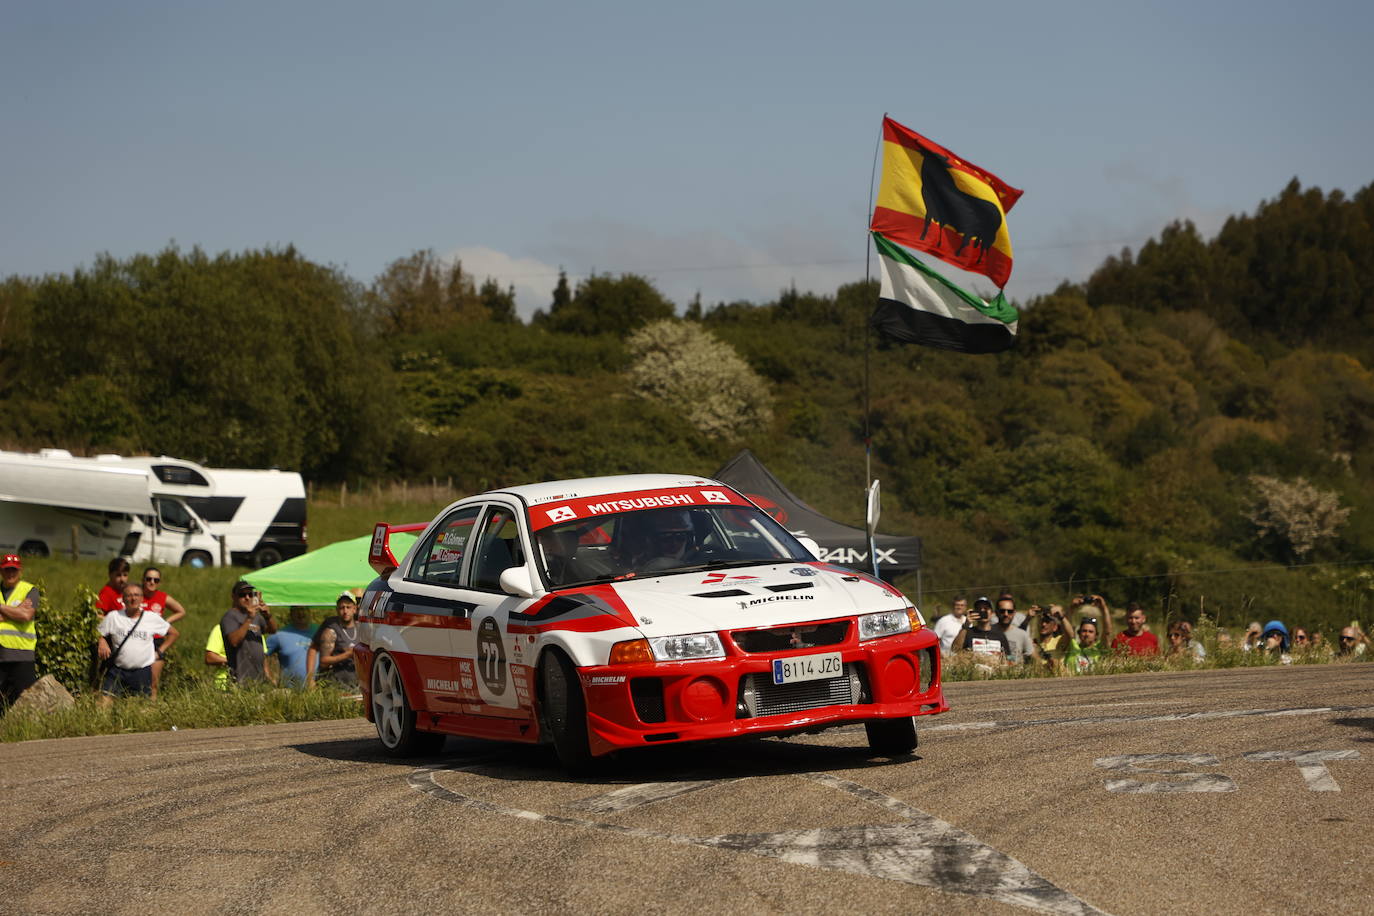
(1192, 426)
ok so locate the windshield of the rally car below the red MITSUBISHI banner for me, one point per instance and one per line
(663, 542)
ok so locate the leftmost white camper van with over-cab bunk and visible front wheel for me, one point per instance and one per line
(54, 503)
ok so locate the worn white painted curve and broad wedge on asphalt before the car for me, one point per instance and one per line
(925, 851)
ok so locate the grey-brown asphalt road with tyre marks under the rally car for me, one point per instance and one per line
(1039, 796)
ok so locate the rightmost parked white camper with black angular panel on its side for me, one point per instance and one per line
(262, 514)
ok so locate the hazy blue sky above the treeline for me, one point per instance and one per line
(715, 148)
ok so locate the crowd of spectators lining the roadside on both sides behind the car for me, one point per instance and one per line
(138, 630)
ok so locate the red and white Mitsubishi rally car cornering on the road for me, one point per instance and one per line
(626, 612)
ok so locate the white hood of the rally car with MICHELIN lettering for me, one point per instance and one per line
(754, 597)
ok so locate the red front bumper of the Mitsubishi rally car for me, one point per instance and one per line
(666, 702)
